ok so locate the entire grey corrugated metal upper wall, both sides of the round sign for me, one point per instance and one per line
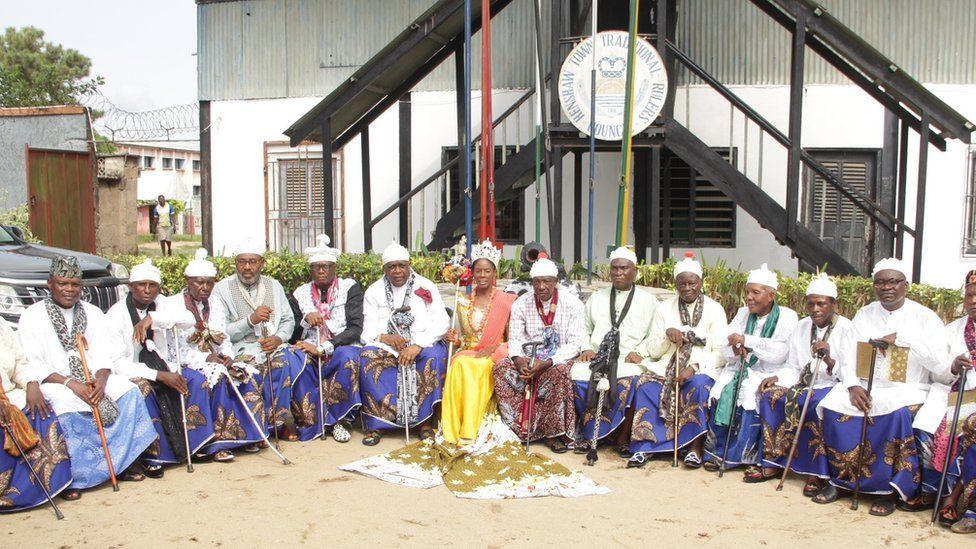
(280, 48)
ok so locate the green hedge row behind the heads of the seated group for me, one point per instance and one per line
(724, 284)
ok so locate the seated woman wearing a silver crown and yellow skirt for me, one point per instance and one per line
(481, 341)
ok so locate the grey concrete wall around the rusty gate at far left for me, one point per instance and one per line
(50, 131)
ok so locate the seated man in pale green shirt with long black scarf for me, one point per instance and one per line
(618, 319)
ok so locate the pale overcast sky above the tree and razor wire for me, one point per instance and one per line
(145, 49)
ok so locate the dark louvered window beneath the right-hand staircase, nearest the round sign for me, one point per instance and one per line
(700, 214)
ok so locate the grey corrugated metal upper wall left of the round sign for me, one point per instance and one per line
(281, 48)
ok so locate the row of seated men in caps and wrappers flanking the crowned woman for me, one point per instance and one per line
(214, 370)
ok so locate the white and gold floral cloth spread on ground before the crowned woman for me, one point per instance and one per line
(495, 466)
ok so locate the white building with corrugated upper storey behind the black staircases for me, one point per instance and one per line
(264, 64)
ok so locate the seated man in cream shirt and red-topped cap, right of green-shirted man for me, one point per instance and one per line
(685, 342)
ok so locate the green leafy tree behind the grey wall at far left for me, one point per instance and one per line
(35, 73)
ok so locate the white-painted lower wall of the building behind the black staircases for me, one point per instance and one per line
(834, 117)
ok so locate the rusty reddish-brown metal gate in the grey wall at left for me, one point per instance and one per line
(61, 195)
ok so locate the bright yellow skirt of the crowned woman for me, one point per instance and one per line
(468, 388)
